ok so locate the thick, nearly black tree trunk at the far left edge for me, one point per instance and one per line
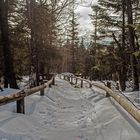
(9, 75)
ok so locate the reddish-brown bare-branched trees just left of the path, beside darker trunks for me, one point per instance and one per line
(44, 19)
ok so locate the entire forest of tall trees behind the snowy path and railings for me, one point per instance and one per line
(42, 36)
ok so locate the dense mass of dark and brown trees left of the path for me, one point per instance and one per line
(31, 37)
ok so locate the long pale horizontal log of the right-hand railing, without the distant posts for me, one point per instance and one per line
(123, 101)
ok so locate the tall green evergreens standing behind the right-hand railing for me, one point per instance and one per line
(119, 20)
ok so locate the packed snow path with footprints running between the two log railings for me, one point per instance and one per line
(68, 113)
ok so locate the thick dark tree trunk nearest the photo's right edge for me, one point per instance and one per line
(132, 46)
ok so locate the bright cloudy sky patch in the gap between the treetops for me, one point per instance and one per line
(84, 19)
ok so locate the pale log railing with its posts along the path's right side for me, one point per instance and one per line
(122, 100)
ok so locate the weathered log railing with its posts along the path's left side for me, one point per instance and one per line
(20, 96)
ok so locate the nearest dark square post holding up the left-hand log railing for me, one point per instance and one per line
(21, 106)
